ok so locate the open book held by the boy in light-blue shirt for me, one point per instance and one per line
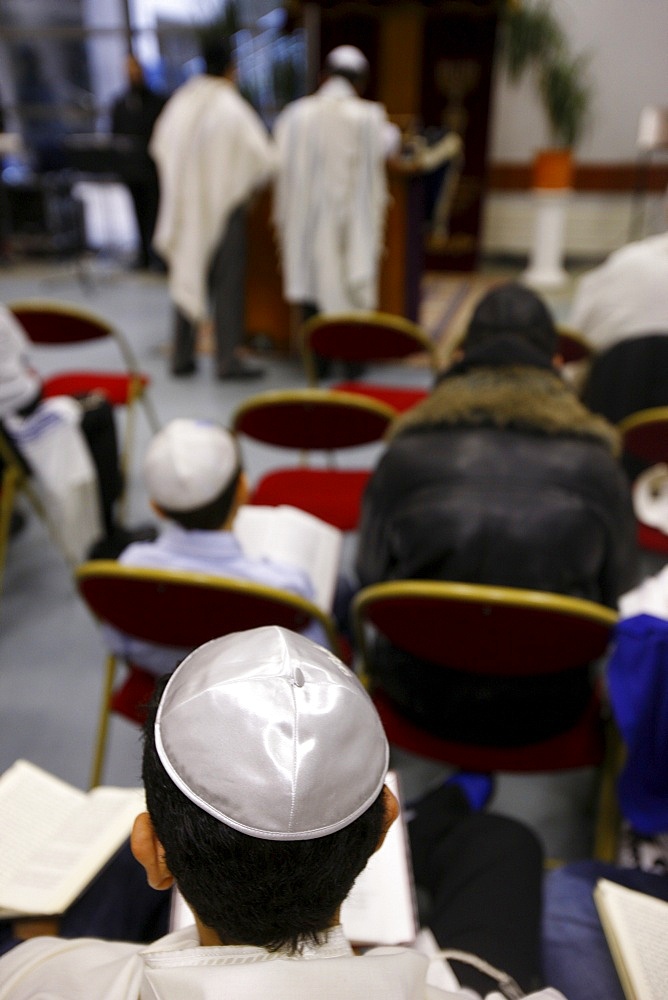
(291, 536)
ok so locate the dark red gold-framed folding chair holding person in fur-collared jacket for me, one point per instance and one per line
(483, 630)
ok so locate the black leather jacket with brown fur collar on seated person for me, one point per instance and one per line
(500, 477)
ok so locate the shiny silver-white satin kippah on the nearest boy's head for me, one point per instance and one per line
(271, 734)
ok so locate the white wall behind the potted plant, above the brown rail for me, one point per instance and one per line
(628, 42)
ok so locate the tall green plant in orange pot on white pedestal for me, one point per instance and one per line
(533, 41)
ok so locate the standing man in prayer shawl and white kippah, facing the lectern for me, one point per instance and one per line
(331, 192)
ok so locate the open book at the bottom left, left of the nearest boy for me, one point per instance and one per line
(54, 838)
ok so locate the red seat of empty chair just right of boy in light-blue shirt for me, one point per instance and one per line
(334, 495)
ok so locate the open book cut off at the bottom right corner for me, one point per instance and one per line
(636, 929)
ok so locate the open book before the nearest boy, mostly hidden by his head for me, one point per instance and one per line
(381, 906)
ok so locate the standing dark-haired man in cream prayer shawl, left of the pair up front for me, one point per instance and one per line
(212, 152)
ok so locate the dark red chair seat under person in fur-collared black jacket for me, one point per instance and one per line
(581, 746)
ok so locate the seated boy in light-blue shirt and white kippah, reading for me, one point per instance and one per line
(195, 482)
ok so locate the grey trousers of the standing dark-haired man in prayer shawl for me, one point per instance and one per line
(226, 282)
